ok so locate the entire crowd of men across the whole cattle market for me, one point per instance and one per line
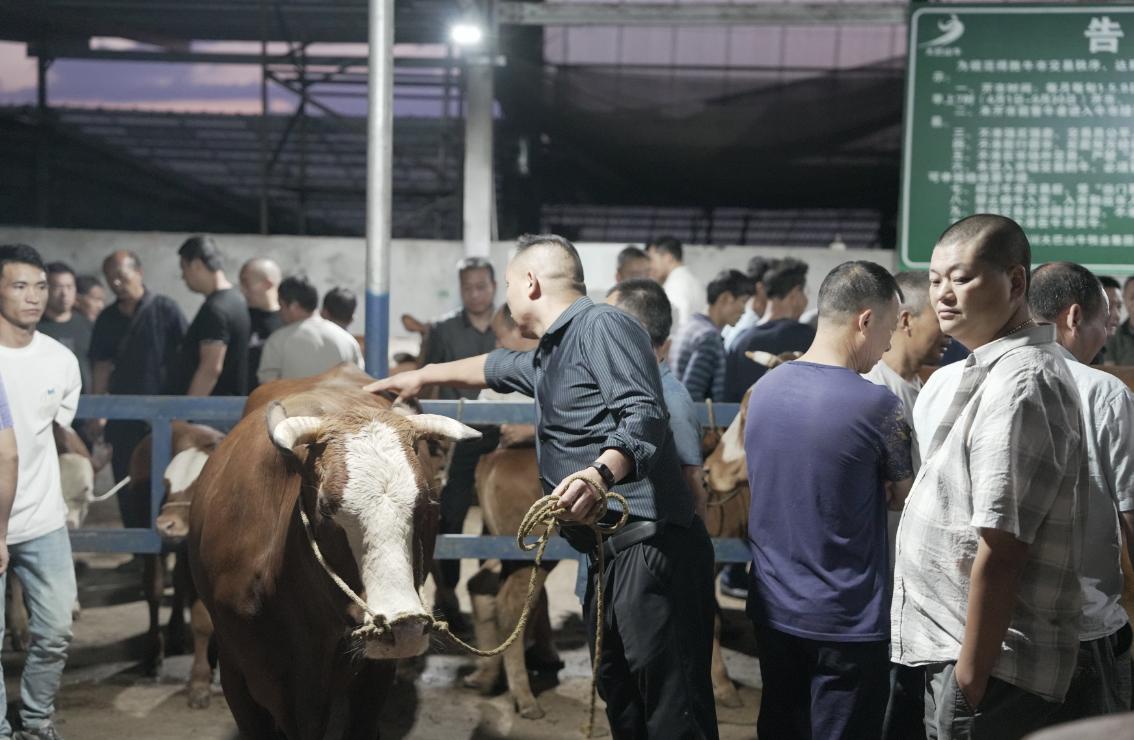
(987, 605)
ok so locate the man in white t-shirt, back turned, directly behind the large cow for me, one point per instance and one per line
(308, 345)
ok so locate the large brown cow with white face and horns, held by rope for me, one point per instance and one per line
(292, 653)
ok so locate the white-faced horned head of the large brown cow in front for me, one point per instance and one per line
(368, 475)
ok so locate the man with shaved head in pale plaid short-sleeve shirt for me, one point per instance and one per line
(986, 593)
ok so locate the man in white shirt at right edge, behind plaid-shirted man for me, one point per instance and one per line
(1071, 299)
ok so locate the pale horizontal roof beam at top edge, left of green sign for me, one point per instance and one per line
(655, 14)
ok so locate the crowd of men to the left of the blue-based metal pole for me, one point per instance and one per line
(60, 339)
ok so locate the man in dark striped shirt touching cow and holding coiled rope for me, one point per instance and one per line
(602, 418)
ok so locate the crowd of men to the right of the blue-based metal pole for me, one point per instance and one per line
(938, 560)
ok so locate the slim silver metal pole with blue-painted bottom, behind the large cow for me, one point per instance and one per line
(379, 185)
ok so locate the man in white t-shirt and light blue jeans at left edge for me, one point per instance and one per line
(44, 385)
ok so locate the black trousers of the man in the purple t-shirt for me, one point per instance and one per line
(819, 690)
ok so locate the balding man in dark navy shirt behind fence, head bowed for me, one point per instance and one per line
(133, 346)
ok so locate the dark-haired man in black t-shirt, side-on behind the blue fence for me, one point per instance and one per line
(214, 360)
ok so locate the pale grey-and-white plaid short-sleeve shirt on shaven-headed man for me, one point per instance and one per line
(1013, 461)
